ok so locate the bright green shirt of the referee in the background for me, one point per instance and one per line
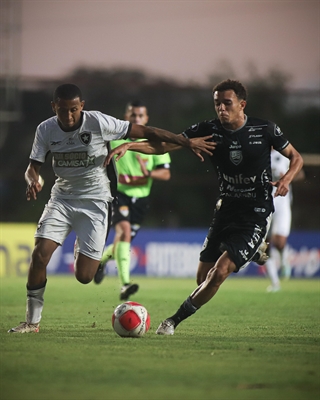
(129, 170)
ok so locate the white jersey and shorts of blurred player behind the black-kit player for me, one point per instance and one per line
(281, 220)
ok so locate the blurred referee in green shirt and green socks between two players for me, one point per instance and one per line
(136, 172)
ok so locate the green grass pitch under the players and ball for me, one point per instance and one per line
(244, 344)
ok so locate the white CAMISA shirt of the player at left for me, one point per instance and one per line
(78, 156)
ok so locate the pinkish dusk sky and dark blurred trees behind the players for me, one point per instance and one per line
(169, 54)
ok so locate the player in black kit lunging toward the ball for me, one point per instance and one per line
(244, 207)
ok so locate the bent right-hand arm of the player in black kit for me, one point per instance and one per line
(296, 163)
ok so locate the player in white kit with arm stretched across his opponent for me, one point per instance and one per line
(82, 194)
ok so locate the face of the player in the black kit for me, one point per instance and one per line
(229, 108)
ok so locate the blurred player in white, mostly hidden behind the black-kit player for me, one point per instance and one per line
(280, 226)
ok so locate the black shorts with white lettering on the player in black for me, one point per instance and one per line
(237, 230)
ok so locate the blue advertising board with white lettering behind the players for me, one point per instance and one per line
(175, 253)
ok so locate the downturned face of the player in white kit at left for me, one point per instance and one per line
(68, 113)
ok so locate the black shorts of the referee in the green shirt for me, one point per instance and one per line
(131, 209)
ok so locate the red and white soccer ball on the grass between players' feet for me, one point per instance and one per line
(130, 319)
